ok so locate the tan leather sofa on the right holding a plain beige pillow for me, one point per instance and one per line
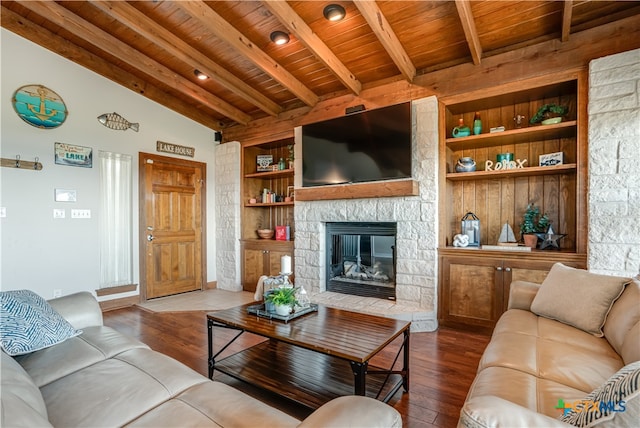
(532, 362)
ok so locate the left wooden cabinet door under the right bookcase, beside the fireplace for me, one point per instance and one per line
(471, 291)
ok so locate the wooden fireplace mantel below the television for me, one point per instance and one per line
(377, 189)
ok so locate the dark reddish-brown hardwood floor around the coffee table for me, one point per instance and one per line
(443, 363)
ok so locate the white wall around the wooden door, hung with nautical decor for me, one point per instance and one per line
(43, 254)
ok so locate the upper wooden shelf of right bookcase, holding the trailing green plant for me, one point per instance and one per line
(514, 136)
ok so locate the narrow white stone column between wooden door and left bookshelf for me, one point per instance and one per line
(227, 212)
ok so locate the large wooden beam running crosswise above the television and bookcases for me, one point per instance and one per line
(536, 61)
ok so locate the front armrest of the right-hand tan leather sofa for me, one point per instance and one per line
(491, 411)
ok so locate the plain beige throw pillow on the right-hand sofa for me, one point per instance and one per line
(577, 297)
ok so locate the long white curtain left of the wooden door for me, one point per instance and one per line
(116, 253)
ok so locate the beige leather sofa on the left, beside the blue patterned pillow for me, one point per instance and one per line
(104, 378)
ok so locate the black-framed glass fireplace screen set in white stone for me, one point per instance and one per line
(361, 259)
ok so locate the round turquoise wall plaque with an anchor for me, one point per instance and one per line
(39, 106)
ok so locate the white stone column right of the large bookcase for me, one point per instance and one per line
(614, 164)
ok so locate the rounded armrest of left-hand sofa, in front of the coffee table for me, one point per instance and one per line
(353, 411)
